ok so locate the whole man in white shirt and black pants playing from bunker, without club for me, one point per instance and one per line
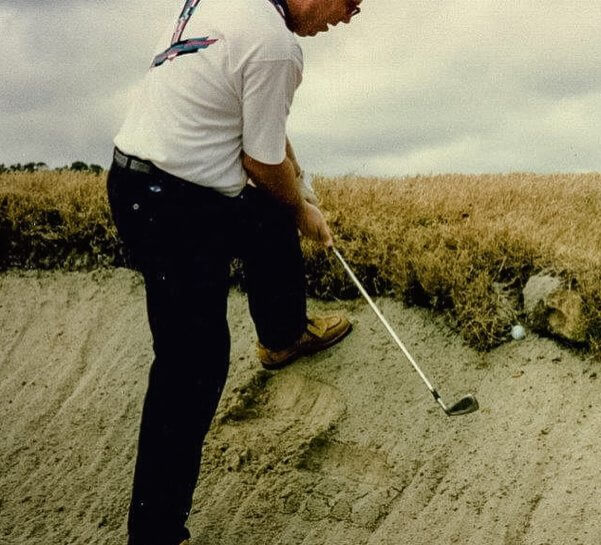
(203, 171)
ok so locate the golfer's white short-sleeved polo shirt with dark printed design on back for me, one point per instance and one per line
(222, 86)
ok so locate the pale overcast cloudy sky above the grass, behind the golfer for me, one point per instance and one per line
(409, 87)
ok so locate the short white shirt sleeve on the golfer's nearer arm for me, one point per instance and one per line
(267, 93)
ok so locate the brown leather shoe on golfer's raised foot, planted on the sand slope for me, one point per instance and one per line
(321, 332)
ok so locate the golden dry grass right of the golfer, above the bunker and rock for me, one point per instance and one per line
(467, 244)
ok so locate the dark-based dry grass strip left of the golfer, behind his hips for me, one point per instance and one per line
(56, 220)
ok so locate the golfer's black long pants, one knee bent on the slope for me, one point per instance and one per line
(182, 238)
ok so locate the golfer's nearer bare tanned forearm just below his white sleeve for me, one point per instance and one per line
(278, 180)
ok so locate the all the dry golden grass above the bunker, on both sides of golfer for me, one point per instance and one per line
(462, 244)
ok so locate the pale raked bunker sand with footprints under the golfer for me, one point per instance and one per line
(346, 447)
